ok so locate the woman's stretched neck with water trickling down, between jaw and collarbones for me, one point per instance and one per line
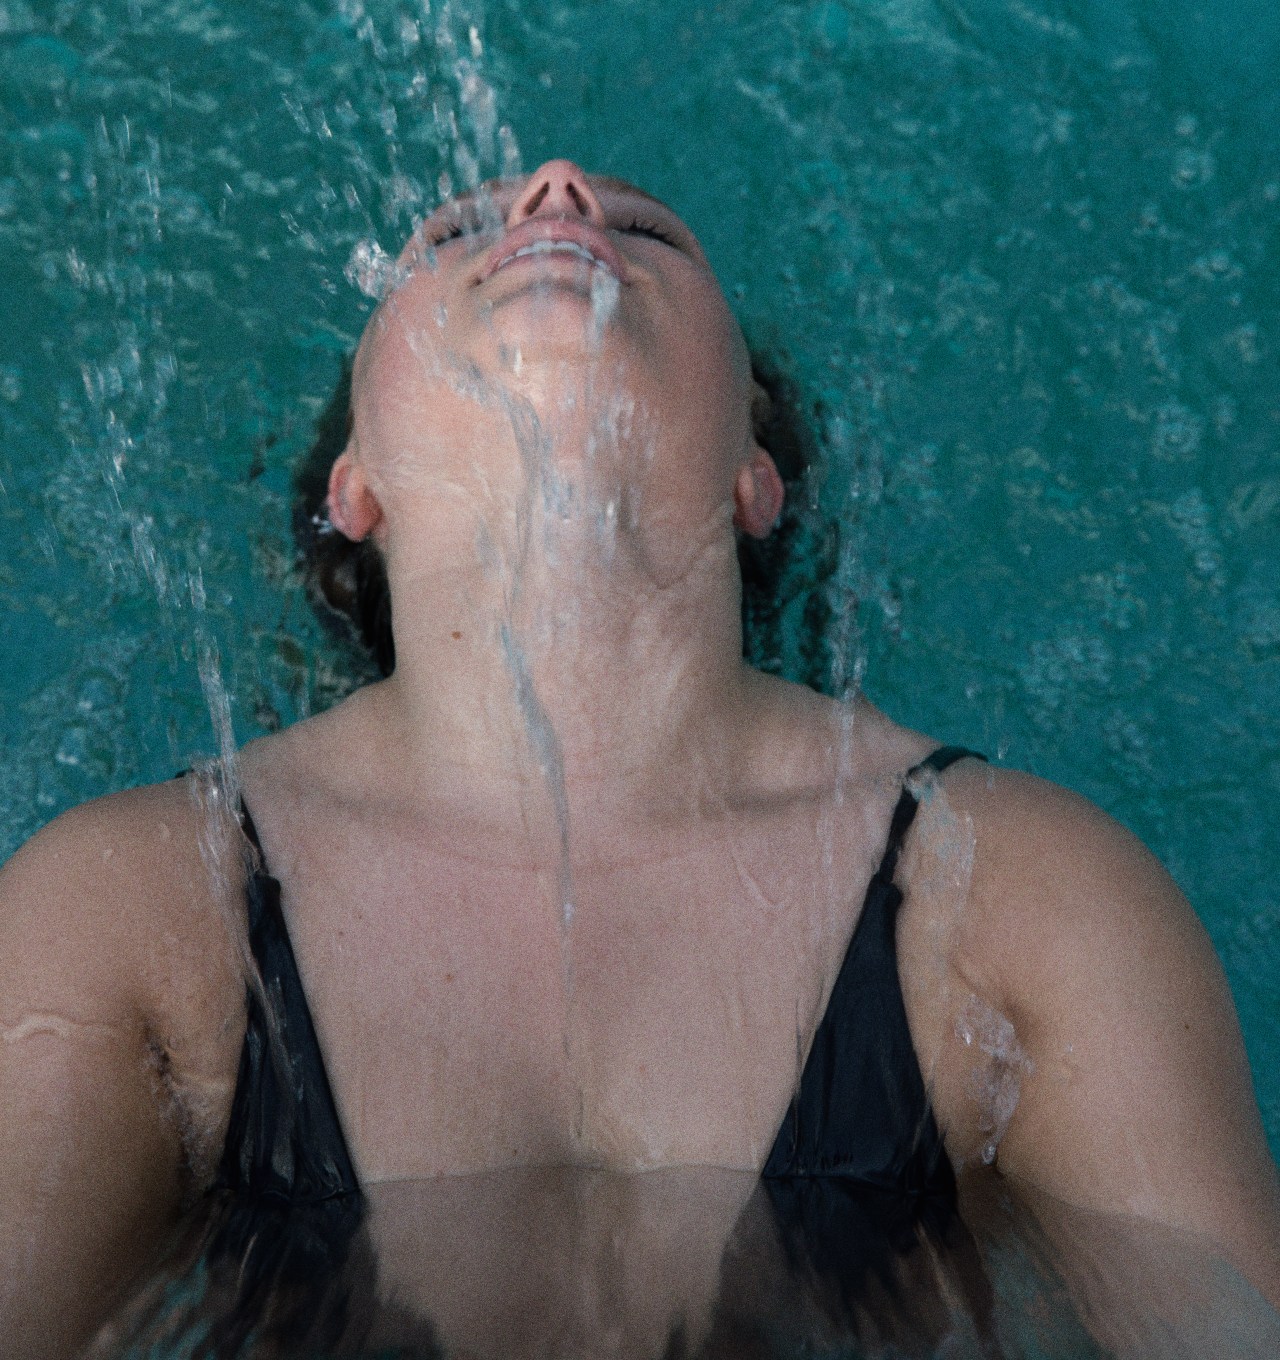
(569, 664)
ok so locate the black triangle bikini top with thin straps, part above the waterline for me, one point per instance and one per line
(862, 1112)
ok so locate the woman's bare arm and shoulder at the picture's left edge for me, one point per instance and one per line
(118, 984)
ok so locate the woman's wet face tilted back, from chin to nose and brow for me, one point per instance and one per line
(567, 326)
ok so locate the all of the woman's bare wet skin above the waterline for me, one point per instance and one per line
(722, 829)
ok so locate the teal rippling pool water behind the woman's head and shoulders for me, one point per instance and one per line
(1022, 258)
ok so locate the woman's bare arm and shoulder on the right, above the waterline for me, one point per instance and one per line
(1138, 1098)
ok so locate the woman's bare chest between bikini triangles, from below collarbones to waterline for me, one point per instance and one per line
(654, 1011)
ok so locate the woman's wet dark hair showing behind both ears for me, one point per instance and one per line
(348, 581)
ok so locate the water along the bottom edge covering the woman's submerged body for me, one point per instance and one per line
(698, 1263)
